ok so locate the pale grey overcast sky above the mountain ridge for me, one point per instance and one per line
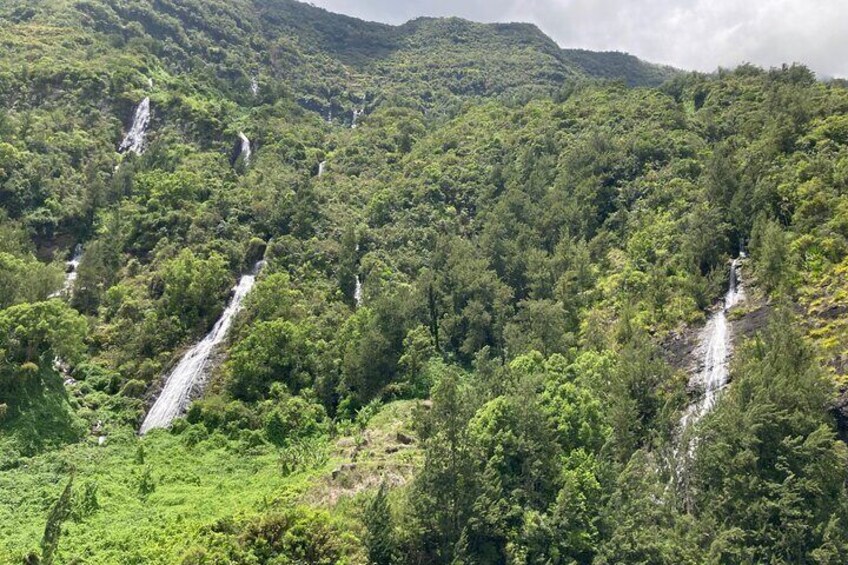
(690, 34)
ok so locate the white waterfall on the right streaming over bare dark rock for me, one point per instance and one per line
(715, 346)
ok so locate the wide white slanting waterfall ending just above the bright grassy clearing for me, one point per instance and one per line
(192, 370)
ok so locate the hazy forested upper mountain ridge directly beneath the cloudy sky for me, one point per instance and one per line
(334, 62)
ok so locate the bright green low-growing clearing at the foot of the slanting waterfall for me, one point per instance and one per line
(152, 503)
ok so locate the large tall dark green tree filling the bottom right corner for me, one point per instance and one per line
(769, 475)
